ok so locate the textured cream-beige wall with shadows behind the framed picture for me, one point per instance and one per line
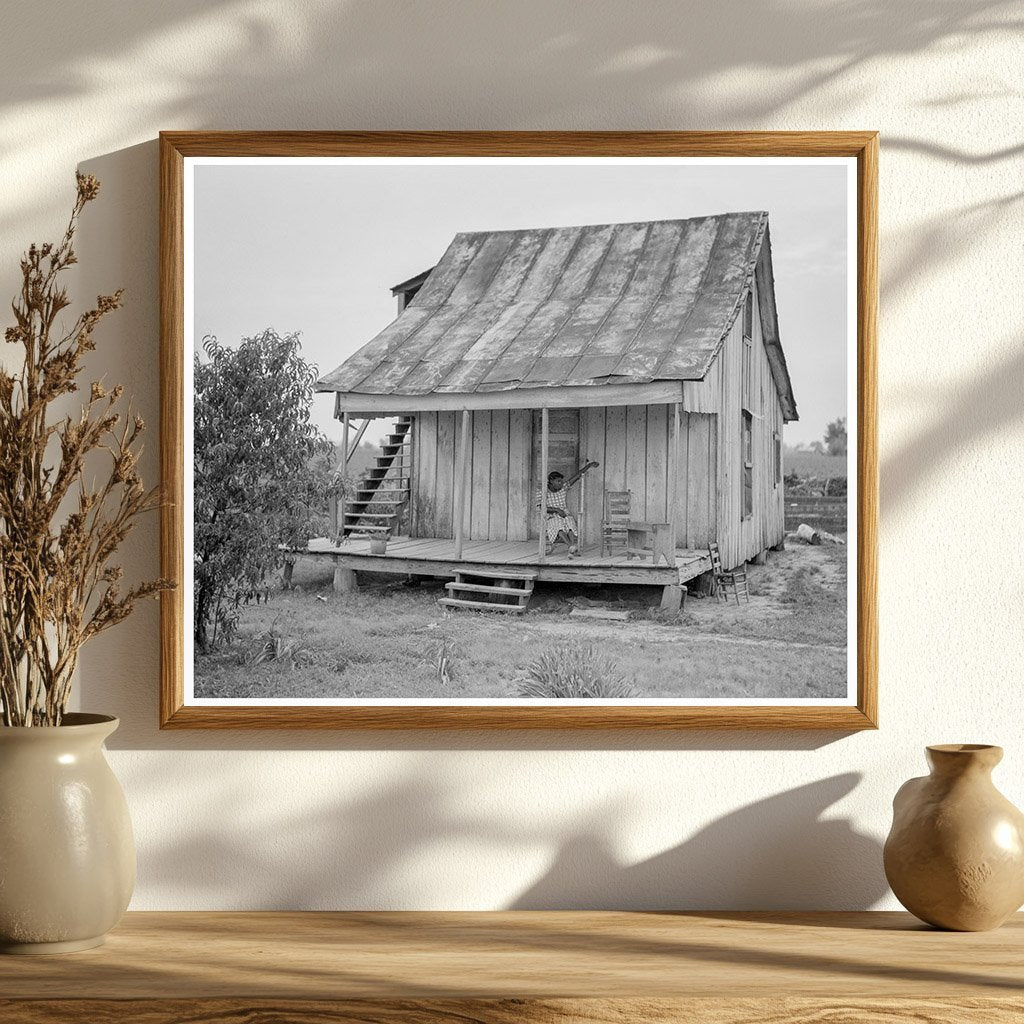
(715, 821)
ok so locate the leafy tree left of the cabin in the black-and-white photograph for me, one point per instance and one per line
(263, 475)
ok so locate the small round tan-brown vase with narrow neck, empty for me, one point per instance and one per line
(956, 855)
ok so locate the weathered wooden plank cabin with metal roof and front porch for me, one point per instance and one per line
(652, 349)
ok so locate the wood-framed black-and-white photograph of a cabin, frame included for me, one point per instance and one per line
(520, 431)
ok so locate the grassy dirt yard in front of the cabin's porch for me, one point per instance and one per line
(394, 641)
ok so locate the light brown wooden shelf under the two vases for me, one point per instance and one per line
(524, 967)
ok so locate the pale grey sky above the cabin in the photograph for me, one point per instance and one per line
(317, 248)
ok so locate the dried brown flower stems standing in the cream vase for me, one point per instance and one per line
(58, 534)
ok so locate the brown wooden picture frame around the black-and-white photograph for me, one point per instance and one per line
(177, 148)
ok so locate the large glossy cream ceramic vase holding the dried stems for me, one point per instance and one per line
(67, 852)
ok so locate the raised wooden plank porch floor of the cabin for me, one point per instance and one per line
(436, 557)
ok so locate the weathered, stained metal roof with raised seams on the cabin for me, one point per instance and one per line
(566, 307)
